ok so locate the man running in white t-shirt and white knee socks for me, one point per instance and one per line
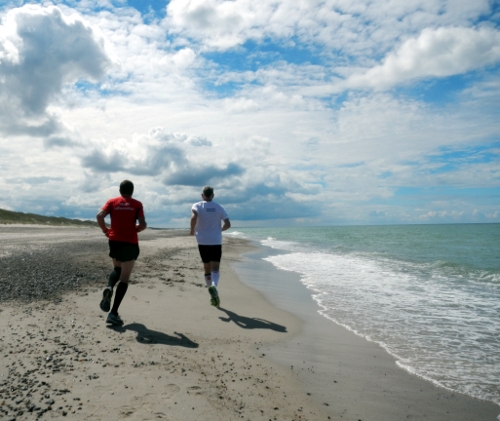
(208, 220)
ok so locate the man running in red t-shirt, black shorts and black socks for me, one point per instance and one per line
(123, 244)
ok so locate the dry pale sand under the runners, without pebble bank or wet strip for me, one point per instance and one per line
(176, 358)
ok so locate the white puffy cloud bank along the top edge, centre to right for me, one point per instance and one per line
(354, 27)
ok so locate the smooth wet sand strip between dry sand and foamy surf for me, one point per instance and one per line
(353, 377)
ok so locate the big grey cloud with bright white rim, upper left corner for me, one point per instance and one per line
(41, 50)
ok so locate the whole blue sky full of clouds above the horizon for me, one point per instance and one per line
(297, 112)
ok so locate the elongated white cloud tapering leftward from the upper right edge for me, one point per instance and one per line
(435, 53)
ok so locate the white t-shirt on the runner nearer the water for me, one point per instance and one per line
(209, 223)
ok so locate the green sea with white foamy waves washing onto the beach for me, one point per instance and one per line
(428, 294)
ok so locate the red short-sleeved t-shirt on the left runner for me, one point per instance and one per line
(124, 212)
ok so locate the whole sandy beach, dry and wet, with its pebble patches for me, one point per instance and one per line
(179, 358)
